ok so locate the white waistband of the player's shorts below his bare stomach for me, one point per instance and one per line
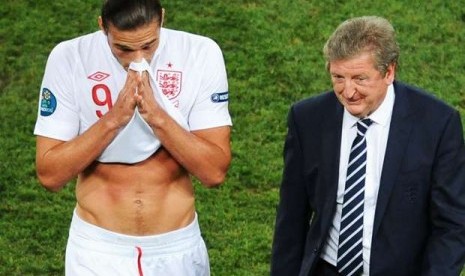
(88, 236)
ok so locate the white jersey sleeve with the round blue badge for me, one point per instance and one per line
(57, 115)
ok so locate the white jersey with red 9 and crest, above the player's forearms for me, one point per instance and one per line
(82, 80)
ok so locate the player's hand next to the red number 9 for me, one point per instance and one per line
(123, 108)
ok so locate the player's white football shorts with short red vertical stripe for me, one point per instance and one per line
(92, 250)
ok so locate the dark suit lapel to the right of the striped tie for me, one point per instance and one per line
(397, 142)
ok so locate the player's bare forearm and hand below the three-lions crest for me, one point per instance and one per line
(204, 153)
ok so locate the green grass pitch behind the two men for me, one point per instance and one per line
(273, 55)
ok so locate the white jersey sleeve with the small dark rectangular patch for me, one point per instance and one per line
(211, 106)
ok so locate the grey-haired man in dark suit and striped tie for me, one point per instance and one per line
(391, 203)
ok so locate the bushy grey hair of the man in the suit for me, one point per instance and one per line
(360, 34)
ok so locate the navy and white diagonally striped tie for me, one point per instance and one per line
(350, 258)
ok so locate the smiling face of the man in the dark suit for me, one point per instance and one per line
(358, 85)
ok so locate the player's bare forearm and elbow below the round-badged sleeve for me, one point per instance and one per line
(58, 163)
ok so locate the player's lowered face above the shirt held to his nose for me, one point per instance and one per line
(133, 45)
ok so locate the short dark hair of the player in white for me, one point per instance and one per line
(130, 14)
